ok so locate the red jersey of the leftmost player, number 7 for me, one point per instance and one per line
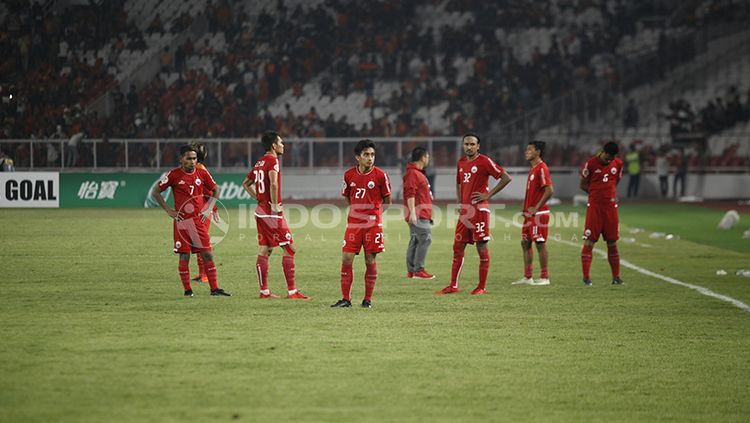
(188, 189)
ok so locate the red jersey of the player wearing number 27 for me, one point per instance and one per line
(365, 192)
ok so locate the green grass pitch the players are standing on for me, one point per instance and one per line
(95, 328)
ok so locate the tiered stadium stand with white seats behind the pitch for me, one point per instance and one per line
(347, 69)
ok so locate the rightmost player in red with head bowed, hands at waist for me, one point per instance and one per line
(599, 178)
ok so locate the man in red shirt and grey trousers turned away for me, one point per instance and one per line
(418, 213)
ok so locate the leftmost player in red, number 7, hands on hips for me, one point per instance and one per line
(190, 214)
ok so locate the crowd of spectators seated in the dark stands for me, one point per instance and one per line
(224, 83)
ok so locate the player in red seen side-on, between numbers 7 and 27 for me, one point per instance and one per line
(263, 183)
